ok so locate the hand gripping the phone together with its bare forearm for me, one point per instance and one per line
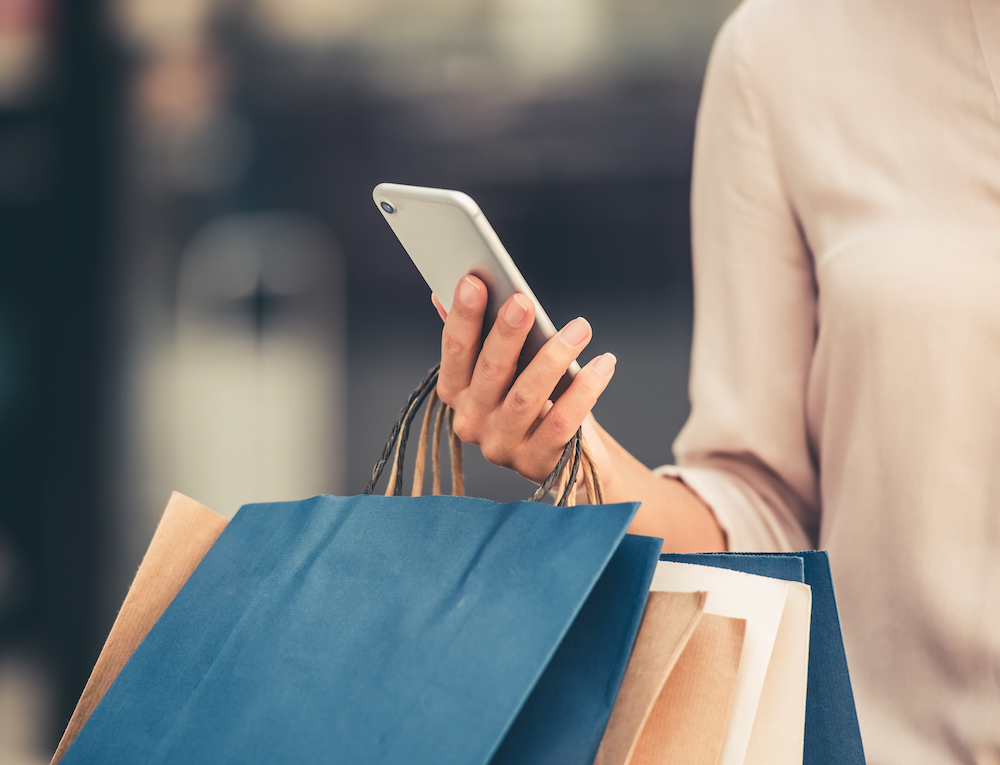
(512, 420)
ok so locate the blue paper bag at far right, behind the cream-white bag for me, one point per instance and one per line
(831, 732)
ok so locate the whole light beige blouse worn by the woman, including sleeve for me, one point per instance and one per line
(845, 379)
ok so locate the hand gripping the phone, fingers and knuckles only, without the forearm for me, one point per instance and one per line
(510, 416)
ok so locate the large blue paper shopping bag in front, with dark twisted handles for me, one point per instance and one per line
(377, 629)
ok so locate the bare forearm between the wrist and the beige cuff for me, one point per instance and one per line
(669, 509)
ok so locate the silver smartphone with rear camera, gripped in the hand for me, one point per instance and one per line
(447, 237)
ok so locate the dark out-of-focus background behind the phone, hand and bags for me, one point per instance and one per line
(197, 292)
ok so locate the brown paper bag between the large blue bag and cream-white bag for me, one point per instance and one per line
(675, 699)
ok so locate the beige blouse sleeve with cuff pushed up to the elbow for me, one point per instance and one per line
(744, 449)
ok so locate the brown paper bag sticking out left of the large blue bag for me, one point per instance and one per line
(185, 533)
